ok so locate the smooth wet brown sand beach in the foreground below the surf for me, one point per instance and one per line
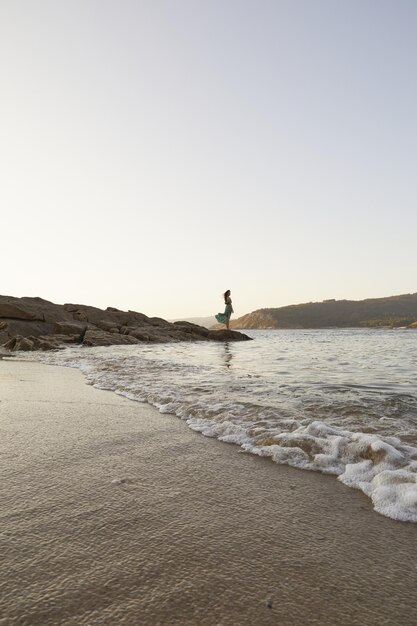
(112, 513)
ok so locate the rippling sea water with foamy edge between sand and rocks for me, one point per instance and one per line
(341, 402)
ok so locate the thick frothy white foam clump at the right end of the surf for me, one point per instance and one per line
(385, 470)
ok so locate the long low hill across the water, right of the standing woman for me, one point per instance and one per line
(395, 311)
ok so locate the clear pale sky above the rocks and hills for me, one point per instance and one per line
(154, 153)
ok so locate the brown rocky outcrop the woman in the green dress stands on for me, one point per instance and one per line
(37, 324)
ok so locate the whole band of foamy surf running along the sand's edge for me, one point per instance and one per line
(382, 467)
